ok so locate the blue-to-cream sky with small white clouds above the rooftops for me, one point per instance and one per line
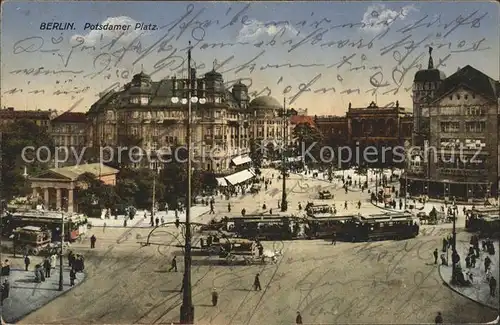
(287, 49)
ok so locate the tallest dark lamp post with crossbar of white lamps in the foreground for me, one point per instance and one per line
(187, 307)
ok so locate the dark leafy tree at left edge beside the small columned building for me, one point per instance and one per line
(16, 137)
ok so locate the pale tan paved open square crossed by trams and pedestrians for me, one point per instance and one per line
(376, 282)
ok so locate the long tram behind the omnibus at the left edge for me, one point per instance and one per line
(74, 224)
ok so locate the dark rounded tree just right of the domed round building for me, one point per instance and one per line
(308, 136)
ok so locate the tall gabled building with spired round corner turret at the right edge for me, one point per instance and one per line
(455, 141)
